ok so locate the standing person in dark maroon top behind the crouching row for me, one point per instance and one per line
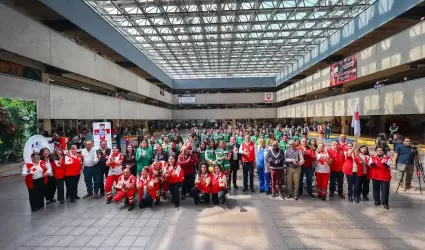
(187, 163)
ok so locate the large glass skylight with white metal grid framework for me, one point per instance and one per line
(199, 39)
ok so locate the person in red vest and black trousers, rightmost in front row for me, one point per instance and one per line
(380, 173)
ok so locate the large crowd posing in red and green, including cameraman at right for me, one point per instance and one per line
(205, 164)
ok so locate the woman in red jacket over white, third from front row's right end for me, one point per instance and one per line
(353, 169)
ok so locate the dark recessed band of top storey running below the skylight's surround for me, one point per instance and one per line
(50, 18)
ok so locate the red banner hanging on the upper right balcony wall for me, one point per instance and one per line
(344, 71)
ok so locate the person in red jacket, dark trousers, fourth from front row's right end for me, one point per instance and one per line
(338, 158)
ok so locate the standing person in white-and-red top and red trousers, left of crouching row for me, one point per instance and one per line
(114, 163)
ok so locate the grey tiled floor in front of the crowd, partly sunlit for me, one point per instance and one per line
(249, 222)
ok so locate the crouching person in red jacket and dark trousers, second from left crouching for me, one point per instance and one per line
(146, 188)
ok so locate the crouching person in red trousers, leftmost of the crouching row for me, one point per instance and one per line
(127, 188)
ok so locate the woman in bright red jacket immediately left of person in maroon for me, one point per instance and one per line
(174, 175)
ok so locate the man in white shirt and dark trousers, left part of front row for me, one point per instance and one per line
(91, 176)
